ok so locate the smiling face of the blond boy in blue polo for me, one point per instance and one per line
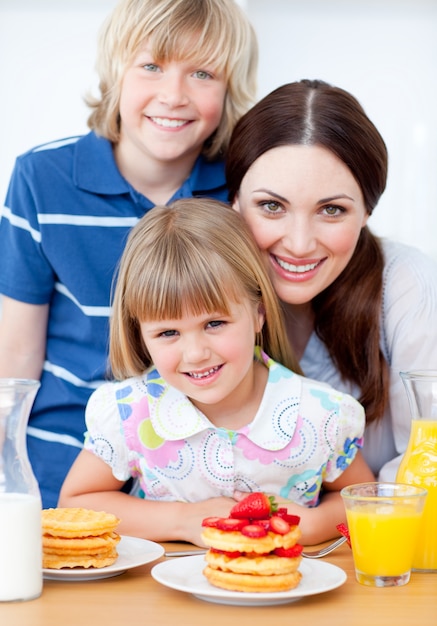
(167, 110)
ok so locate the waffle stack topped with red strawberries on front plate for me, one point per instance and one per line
(255, 549)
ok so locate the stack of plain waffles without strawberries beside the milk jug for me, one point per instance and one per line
(77, 537)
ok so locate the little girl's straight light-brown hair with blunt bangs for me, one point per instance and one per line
(195, 255)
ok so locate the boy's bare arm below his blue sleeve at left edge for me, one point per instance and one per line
(23, 334)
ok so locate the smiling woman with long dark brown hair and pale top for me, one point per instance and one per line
(305, 168)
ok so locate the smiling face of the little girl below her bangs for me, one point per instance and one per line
(208, 357)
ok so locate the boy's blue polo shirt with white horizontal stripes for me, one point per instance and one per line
(64, 225)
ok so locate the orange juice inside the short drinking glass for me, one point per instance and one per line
(383, 537)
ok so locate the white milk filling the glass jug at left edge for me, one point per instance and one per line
(20, 547)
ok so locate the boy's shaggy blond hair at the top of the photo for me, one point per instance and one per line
(215, 32)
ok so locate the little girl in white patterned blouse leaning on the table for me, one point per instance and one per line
(196, 418)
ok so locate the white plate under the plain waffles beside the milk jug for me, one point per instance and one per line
(132, 552)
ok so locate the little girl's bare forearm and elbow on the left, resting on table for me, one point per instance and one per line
(91, 484)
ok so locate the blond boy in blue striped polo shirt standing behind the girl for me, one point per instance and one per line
(175, 75)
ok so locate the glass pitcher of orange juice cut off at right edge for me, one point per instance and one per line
(419, 464)
